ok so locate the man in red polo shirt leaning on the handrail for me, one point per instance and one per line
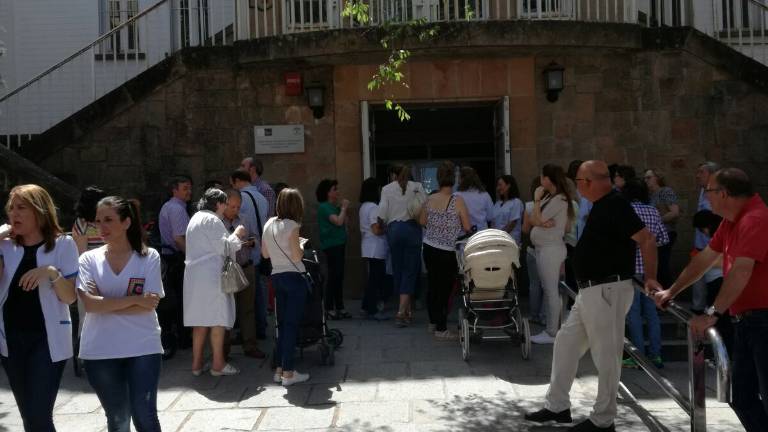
(742, 241)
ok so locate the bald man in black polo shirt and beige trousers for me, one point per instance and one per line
(604, 262)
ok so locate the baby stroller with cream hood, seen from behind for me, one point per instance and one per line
(490, 309)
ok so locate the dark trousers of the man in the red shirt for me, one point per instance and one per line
(750, 372)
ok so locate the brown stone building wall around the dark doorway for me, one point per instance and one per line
(664, 98)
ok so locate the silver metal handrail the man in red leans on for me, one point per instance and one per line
(695, 403)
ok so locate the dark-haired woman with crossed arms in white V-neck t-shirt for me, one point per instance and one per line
(120, 286)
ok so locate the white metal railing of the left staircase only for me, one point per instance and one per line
(140, 41)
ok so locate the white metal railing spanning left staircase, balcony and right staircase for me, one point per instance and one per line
(145, 38)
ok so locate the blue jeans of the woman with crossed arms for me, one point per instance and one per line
(127, 388)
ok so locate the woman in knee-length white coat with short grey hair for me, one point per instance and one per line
(206, 307)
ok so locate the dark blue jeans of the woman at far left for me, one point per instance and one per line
(33, 377)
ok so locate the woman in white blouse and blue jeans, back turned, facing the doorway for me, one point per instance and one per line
(400, 206)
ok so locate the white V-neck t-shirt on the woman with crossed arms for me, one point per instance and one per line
(114, 335)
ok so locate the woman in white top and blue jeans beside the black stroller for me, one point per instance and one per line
(281, 243)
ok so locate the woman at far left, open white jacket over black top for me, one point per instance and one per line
(38, 265)
